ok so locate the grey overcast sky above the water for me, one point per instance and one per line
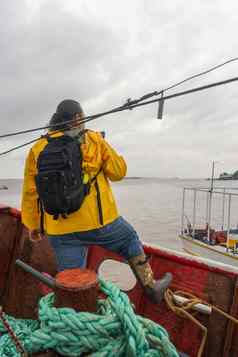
(104, 52)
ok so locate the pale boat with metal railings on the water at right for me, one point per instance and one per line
(209, 223)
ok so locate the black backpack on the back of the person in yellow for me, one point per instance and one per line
(59, 181)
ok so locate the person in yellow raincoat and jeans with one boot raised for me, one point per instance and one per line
(96, 222)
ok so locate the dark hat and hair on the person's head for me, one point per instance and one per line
(64, 113)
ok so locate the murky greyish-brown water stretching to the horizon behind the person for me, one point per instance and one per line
(153, 206)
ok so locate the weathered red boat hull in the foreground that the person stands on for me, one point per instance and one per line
(194, 327)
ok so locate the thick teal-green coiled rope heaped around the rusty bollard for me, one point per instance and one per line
(114, 331)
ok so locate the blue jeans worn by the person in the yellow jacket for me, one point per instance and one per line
(118, 236)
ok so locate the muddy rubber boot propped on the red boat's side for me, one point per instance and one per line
(154, 289)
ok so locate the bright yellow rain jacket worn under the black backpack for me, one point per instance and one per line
(97, 153)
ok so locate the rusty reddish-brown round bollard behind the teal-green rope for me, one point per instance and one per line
(77, 289)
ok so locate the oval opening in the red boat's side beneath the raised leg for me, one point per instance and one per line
(118, 273)
